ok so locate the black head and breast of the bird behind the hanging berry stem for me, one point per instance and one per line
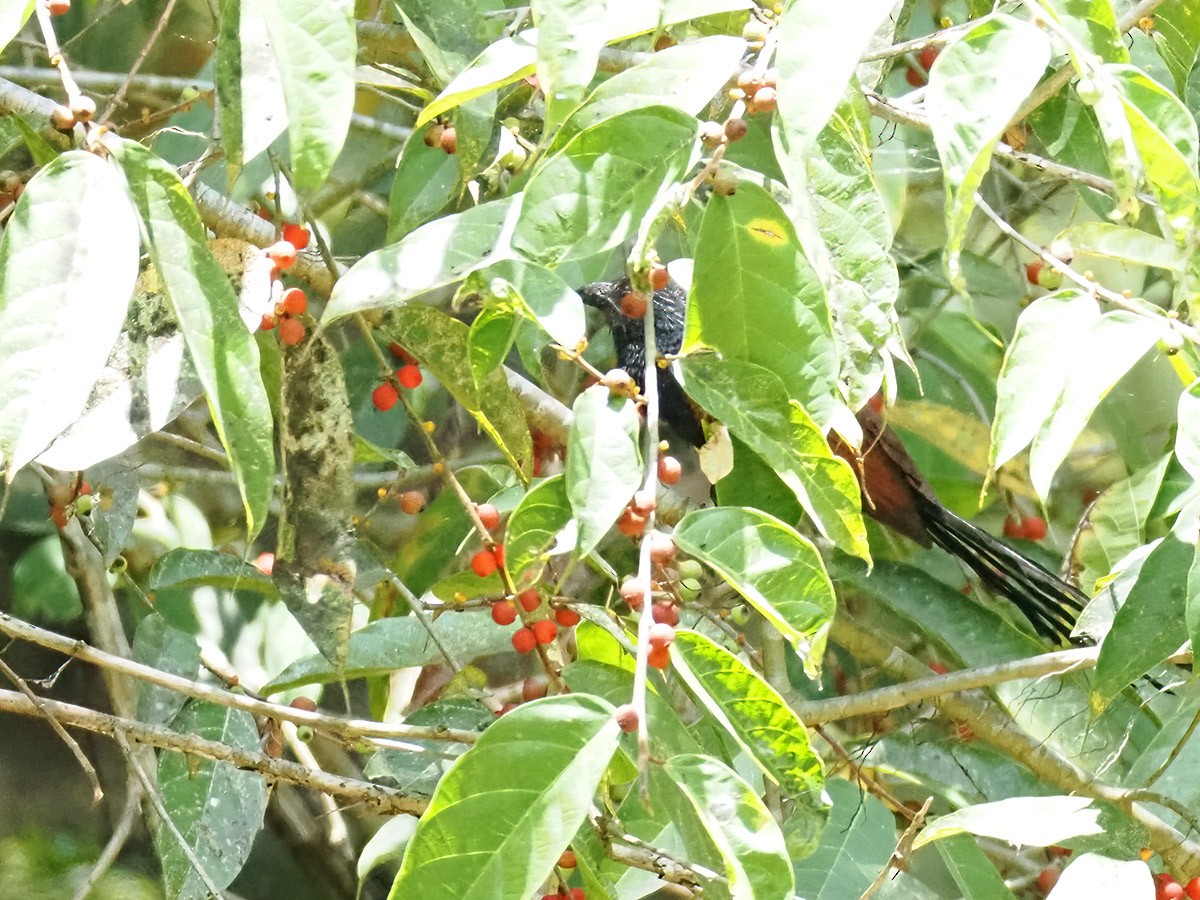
(629, 338)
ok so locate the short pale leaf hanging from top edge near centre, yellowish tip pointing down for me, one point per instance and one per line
(571, 38)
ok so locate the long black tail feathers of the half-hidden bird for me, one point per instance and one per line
(1051, 604)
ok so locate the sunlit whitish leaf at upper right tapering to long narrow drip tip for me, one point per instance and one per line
(970, 109)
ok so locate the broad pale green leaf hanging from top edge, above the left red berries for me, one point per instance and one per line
(315, 47)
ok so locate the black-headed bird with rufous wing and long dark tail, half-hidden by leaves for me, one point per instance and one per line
(895, 491)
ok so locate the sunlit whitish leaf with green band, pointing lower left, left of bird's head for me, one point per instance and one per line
(436, 255)
